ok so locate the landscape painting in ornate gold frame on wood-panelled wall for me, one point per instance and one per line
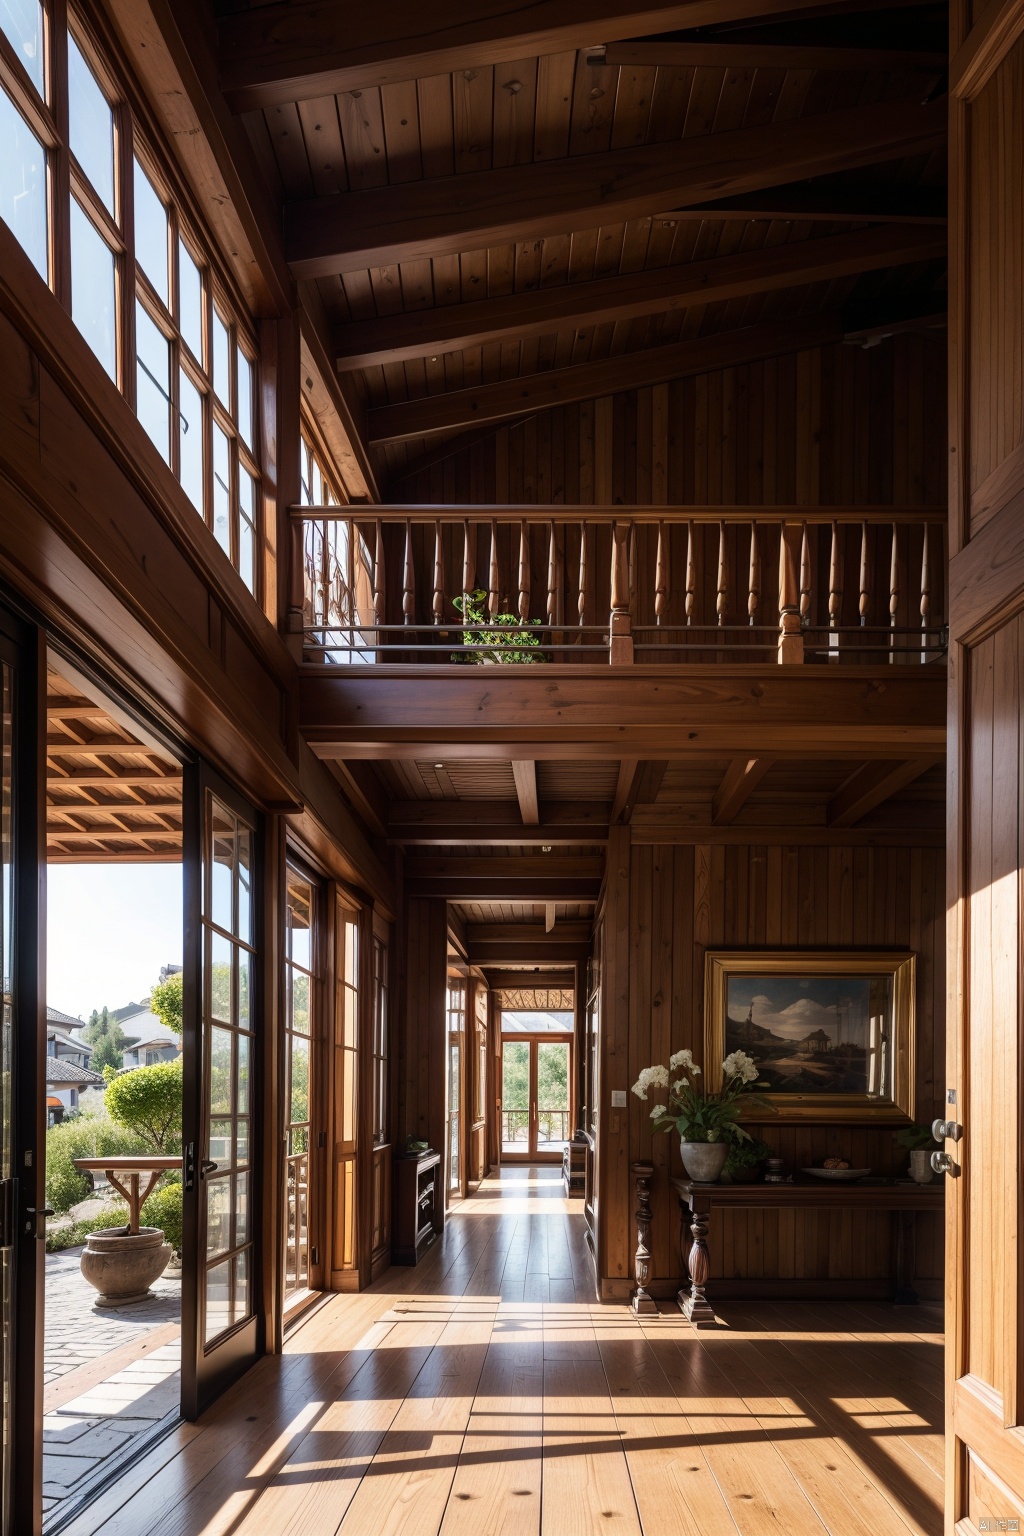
(831, 1033)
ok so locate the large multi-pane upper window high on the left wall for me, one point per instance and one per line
(140, 283)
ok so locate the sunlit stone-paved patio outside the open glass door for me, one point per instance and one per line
(87, 1434)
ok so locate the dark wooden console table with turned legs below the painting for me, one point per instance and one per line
(805, 1193)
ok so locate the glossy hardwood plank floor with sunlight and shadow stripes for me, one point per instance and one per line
(486, 1392)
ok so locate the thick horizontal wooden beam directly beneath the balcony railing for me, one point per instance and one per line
(601, 712)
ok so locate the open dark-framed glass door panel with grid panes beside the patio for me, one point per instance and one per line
(220, 1325)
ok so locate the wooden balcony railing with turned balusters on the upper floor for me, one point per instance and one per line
(623, 586)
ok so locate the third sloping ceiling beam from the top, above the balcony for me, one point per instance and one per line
(394, 339)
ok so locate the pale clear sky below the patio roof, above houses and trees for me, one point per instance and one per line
(110, 929)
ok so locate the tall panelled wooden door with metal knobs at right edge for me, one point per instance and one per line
(985, 1286)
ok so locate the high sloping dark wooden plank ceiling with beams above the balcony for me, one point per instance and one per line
(521, 208)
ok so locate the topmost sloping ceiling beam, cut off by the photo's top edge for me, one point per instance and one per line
(277, 55)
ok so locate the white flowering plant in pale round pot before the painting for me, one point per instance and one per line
(707, 1122)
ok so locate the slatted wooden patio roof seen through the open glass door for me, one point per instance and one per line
(110, 796)
